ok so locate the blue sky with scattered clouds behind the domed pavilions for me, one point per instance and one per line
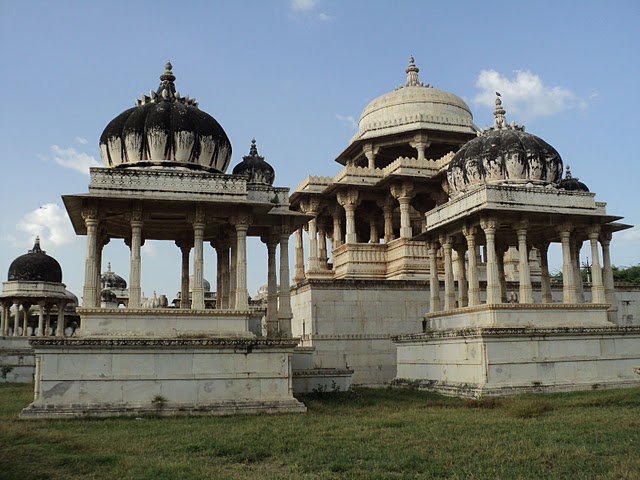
(296, 74)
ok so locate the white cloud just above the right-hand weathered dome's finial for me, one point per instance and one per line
(525, 96)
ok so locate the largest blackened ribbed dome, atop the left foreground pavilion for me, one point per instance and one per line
(165, 129)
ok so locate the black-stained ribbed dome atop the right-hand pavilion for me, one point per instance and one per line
(504, 154)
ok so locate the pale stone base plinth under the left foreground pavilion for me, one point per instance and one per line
(181, 376)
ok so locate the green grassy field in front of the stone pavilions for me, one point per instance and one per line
(363, 434)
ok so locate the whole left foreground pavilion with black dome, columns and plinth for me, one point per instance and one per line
(164, 179)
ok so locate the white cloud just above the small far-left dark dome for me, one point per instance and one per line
(50, 222)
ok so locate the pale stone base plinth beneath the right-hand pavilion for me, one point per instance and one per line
(508, 360)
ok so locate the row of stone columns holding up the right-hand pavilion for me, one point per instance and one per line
(602, 289)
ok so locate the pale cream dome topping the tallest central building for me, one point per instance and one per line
(413, 106)
